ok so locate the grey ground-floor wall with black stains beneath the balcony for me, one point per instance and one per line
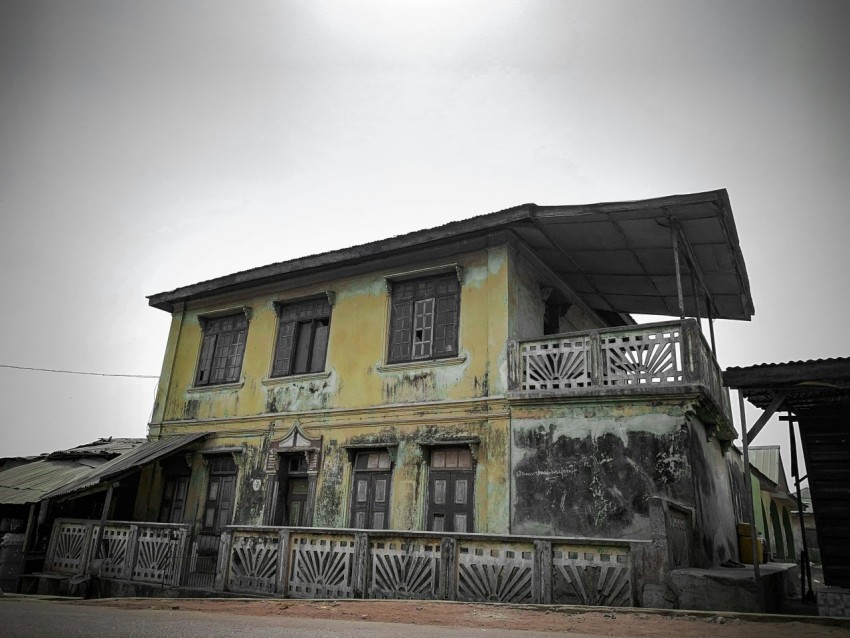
(589, 470)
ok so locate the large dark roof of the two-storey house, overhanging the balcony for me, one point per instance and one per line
(618, 257)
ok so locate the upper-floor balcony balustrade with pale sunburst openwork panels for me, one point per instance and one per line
(655, 358)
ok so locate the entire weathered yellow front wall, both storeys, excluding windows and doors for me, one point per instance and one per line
(358, 400)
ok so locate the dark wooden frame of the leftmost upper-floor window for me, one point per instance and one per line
(209, 352)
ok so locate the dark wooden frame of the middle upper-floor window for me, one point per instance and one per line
(279, 370)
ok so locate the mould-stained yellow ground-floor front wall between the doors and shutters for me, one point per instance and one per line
(409, 431)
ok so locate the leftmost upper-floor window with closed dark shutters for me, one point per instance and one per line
(222, 349)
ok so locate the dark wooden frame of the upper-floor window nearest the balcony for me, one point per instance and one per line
(415, 305)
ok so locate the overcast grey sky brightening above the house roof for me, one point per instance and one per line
(147, 145)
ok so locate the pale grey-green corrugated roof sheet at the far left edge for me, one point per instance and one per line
(29, 483)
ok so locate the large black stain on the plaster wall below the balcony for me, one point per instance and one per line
(596, 485)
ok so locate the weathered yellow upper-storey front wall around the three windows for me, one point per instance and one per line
(356, 375)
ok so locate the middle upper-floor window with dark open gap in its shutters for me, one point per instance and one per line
(302, 337)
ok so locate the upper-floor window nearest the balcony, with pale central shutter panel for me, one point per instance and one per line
(424, 318)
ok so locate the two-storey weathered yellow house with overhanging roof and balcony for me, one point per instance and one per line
(485, 376)
